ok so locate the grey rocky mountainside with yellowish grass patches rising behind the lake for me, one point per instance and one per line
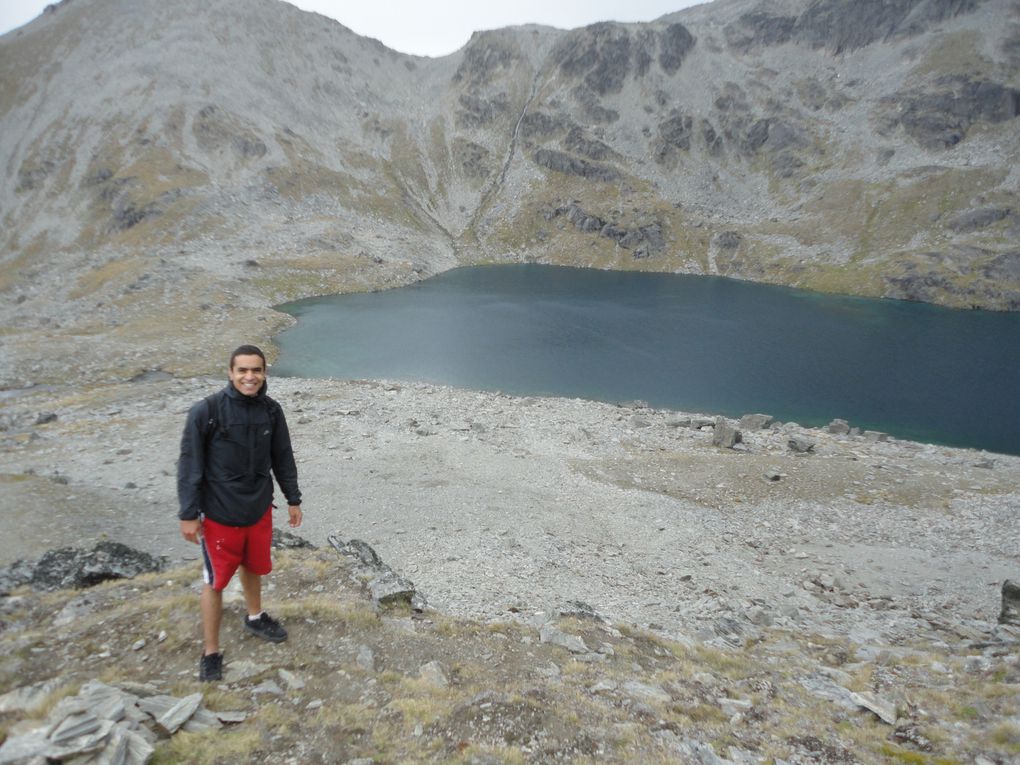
(181, 168)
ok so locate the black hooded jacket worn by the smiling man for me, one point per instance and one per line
(230, 445)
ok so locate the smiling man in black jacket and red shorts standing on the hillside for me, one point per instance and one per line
(232, 442)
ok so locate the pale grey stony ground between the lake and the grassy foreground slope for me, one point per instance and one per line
(500, 508)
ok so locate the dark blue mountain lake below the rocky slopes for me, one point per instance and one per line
(691, 343)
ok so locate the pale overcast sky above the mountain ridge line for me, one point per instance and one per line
(434, 28)
